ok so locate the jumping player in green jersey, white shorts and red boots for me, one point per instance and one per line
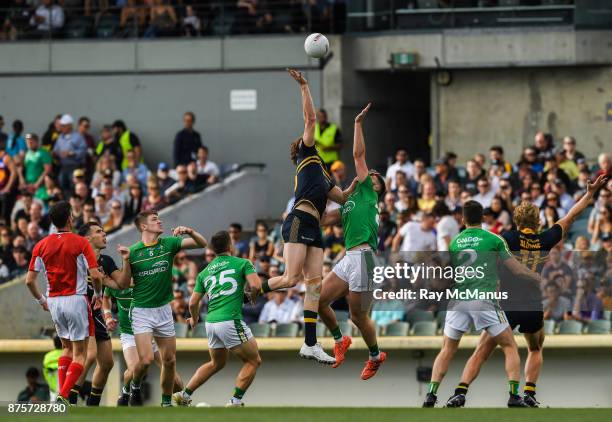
(352, 276)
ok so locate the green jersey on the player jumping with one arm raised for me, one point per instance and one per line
(360, 216)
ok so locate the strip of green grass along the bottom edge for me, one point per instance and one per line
(296, 414)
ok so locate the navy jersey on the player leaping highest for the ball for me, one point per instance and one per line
(312, 182)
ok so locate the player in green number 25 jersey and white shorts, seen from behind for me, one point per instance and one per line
(224, 280)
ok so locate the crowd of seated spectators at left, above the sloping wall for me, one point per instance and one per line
(105, 180)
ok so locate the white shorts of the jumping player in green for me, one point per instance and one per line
(356, 268)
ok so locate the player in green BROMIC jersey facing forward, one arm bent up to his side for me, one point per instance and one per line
(151, 264)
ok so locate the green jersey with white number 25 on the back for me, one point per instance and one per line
(223, 281)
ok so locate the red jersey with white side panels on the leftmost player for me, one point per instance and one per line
(63, 259)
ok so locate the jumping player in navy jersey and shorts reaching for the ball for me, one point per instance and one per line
(303, 249)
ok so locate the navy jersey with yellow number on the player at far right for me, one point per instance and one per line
(530, 249)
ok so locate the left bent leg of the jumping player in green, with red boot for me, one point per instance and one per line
(333, 289)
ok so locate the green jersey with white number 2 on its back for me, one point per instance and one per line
(474, 255)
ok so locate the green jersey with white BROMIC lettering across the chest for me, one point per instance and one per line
(152, 271)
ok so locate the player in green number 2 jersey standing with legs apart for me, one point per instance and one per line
(477, 251)
